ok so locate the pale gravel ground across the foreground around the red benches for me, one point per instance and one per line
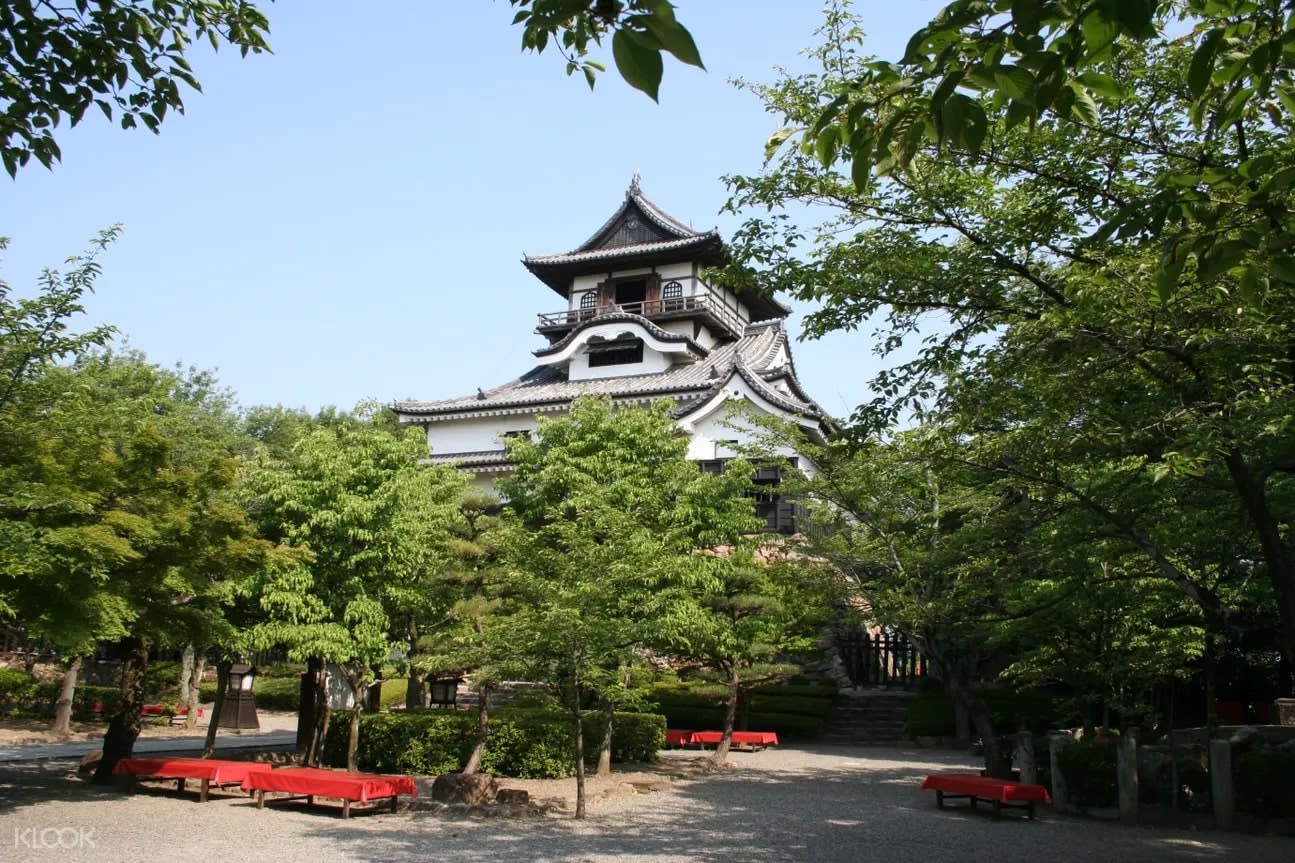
(806, 805)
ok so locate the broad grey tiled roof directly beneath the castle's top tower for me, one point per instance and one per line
(690, 385)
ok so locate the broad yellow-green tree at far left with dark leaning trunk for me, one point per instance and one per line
(121, 512)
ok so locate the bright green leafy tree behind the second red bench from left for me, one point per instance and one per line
(370, 523)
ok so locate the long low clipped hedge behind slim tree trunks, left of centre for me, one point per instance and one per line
(524, 743)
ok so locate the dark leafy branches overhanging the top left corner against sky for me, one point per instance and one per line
(129, 58)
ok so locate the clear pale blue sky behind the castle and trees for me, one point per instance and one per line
(345, 218)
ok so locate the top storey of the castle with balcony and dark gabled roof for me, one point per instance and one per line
(646, 264)
